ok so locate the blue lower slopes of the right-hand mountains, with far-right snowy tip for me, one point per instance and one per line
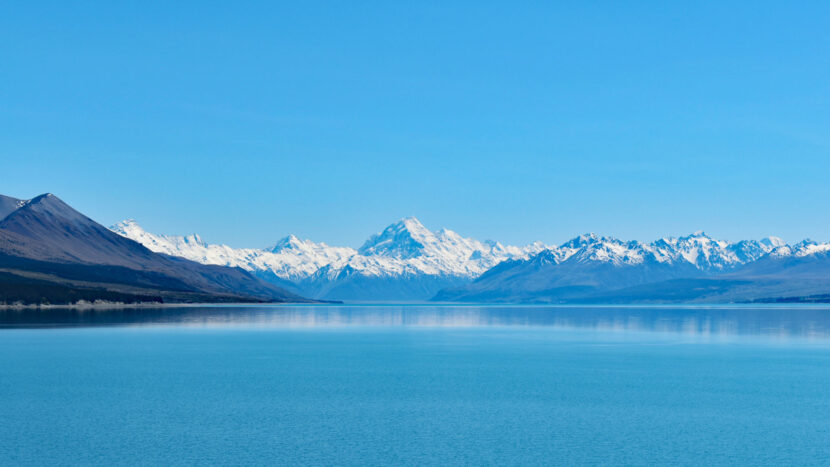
(787, 274)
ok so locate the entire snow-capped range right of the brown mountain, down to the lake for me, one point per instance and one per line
(407, 261)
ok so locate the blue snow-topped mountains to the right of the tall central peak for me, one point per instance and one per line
(697, 267)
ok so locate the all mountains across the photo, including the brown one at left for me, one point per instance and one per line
(51, 253)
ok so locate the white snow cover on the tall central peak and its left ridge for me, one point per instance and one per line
(405, 248)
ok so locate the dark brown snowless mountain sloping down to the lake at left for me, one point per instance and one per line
(44, 240)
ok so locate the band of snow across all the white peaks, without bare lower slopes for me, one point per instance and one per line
(408, 249)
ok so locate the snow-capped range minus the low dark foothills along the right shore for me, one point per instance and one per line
(407, 261)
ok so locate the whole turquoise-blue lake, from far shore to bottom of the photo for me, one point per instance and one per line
(416, 385)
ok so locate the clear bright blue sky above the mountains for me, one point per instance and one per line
(512, 121)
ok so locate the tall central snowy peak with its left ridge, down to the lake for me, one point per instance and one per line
(405, 261)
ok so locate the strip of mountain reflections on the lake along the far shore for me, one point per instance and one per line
(771, 321)
